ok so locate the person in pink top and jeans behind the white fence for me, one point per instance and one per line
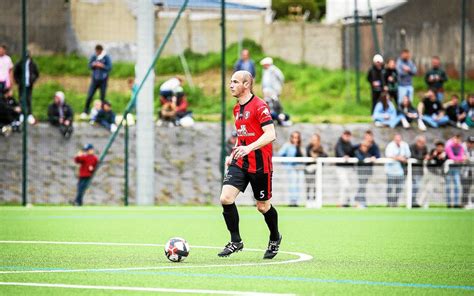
(455, 153)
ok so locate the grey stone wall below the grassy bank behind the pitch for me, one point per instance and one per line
(186, 164)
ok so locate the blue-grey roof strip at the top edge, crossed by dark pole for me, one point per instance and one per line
(206, 4)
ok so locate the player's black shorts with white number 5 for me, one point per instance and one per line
(261, 183)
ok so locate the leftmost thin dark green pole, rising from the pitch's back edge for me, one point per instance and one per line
(24, 189)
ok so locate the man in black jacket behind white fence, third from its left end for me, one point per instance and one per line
(345, 172)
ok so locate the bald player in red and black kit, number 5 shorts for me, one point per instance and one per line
(250, 162)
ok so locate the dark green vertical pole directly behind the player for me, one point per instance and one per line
(223, 89)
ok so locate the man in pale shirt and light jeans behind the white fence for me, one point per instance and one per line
(399, 151)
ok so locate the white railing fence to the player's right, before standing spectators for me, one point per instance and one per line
(346, 182)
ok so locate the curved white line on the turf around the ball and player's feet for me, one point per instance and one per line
(301, 258)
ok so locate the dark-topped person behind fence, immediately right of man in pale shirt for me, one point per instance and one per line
(419, 151)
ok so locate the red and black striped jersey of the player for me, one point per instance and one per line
(249, 120)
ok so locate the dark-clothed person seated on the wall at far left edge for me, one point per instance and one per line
(10, 115)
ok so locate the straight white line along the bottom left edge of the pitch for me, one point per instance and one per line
(141, 289)
